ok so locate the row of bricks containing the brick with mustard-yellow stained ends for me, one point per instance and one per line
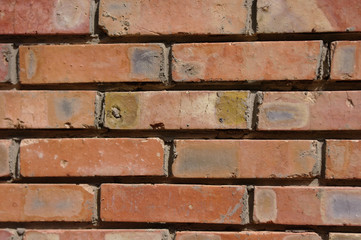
(176, 110)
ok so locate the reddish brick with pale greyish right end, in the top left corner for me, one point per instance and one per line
(37, 17)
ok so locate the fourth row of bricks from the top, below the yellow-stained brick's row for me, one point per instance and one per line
(89, 157)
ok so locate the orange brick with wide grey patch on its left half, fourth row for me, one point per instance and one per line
(242, 159)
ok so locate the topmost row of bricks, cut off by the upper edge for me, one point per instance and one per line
(157, 17)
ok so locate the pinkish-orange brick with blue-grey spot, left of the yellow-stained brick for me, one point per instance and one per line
(47, 109)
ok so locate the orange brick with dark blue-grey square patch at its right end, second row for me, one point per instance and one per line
(46, 64)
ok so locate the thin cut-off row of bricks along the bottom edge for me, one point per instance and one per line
(163, 234)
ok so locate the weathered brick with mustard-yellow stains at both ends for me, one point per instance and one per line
(178, 110)
